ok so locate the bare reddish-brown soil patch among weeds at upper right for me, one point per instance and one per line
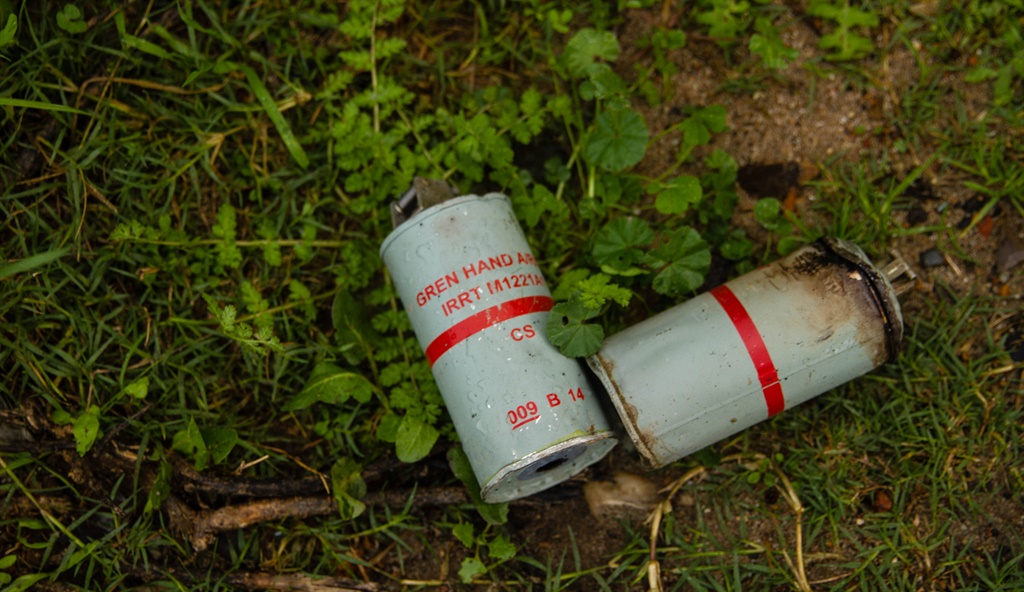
(817, 119)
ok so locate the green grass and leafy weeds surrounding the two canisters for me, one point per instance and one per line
(193, 197)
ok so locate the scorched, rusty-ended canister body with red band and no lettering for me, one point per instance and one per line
(744, 352)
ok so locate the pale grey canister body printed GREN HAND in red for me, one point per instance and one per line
(526, 414)
